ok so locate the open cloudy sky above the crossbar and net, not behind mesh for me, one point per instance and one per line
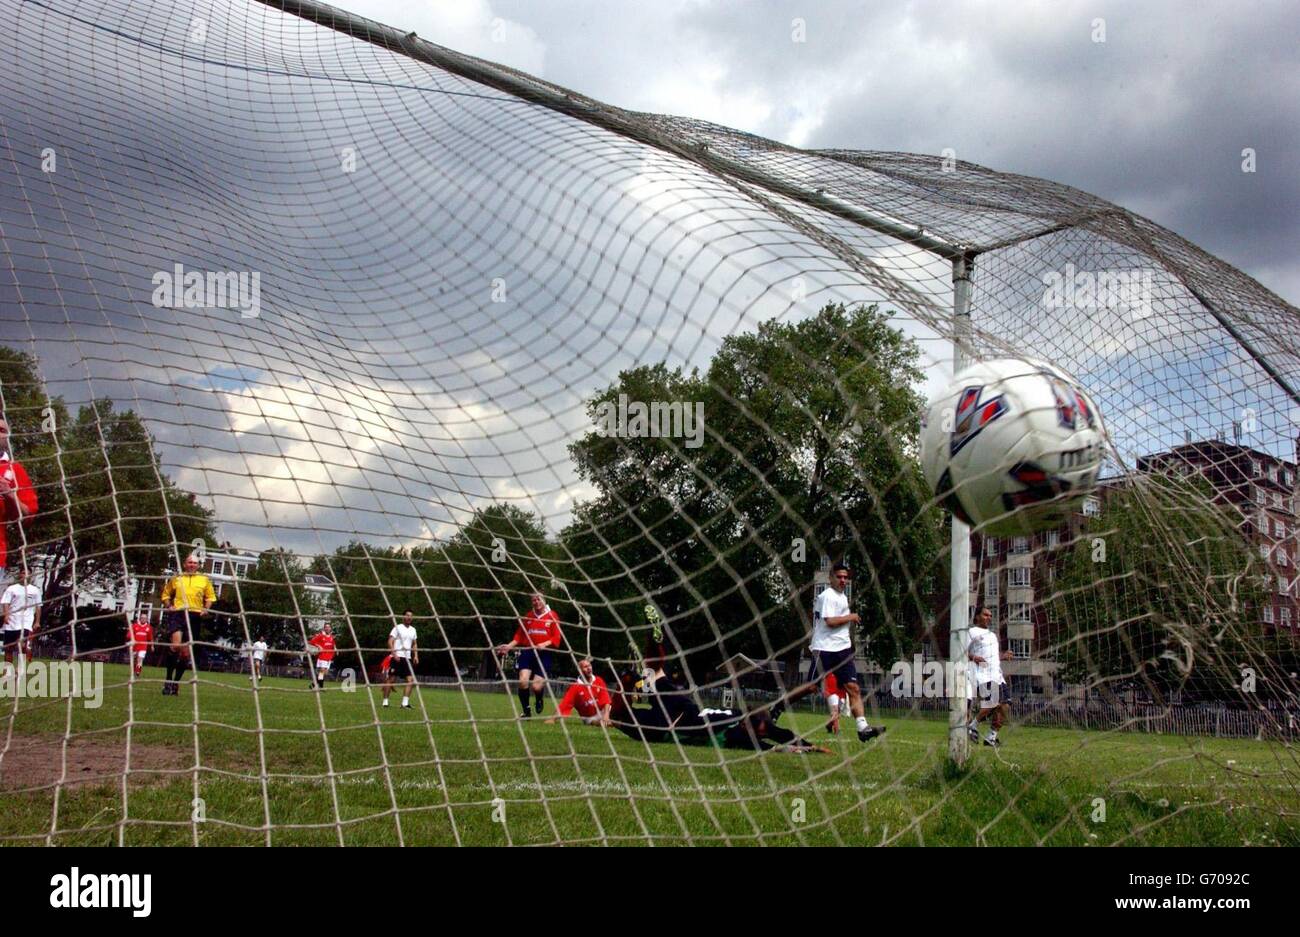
(1155, 118)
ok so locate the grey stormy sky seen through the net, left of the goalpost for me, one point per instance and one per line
(382, 393)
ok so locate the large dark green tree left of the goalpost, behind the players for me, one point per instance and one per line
(809, 450)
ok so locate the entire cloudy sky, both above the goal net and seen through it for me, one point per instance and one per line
(387, 391)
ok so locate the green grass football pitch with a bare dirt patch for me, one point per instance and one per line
(445, 780)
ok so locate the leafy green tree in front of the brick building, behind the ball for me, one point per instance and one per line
(1162, 592)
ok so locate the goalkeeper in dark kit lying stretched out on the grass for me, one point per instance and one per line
(671, 717)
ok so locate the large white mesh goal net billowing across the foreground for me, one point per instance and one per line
(371, 328)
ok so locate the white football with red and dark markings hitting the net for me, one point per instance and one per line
(1012, 446)
